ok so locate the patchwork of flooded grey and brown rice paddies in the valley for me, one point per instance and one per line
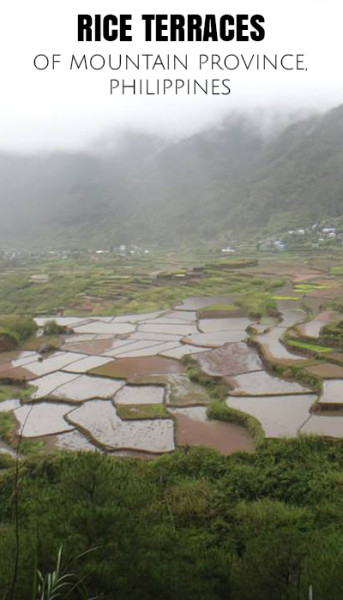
(136, 362)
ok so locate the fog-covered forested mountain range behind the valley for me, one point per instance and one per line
(229, 178)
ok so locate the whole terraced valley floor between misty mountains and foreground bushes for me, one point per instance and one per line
(144, 354)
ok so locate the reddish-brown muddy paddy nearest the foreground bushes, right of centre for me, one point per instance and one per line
(224, 437)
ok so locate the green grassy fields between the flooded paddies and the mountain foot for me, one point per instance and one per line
(112, 285)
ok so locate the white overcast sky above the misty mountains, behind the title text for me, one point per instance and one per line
(63, 109)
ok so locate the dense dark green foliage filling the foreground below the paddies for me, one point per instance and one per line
(193, 525)
